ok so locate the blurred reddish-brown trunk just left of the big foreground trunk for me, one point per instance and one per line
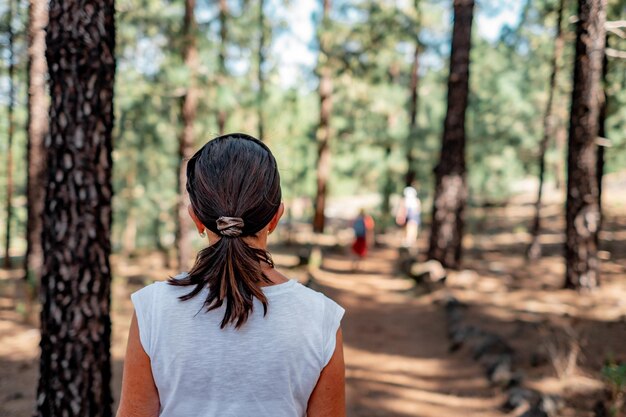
(37, 129)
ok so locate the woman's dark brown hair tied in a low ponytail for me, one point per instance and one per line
(234, 189)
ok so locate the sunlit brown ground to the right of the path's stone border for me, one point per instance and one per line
(562, 338)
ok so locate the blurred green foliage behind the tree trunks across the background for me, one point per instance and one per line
(370, 48)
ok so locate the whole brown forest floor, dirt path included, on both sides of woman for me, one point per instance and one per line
(396, 347)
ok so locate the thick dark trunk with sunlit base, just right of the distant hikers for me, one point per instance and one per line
(450, 182)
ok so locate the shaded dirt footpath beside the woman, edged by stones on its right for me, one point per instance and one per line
(396, 349)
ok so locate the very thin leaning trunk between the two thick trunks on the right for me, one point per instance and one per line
(534, 250)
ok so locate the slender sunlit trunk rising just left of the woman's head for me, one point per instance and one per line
(189, 104)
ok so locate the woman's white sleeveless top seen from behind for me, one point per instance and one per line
(267, 368)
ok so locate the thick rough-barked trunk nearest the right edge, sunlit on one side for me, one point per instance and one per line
(582, 208)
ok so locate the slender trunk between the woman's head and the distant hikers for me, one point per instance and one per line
(323, 131)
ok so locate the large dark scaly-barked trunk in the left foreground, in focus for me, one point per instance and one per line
(75, 369)
